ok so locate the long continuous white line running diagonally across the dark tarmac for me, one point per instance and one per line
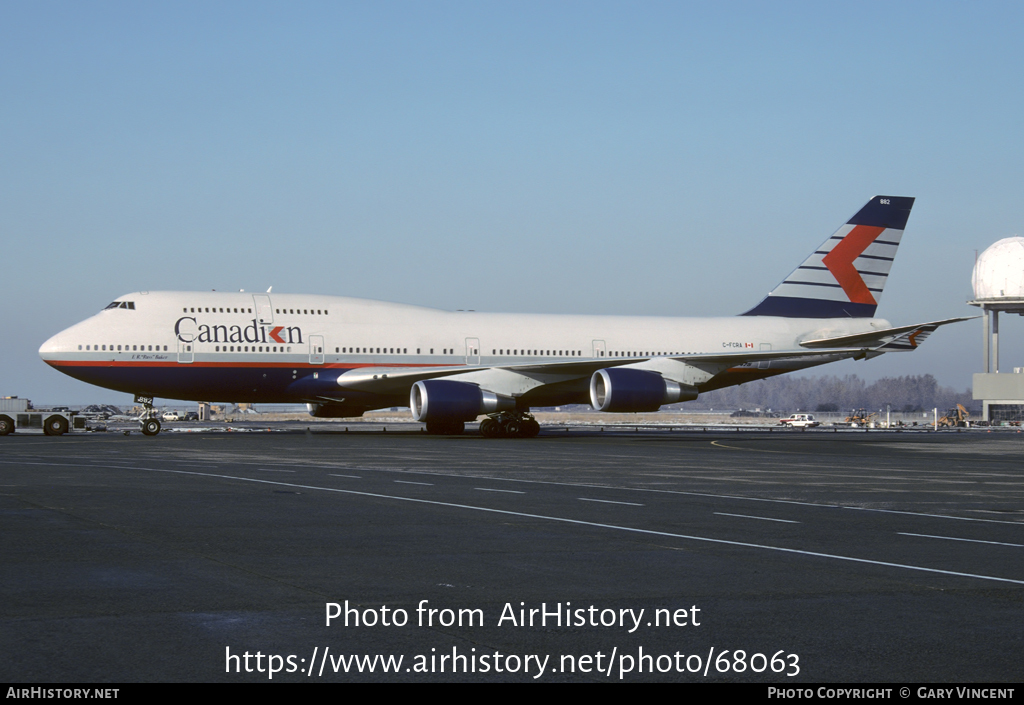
(564, 520)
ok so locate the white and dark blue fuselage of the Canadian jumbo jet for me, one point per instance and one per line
(255, 348)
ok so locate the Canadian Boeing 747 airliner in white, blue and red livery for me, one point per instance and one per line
(344, 357)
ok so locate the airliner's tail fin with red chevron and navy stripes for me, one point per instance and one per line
(845, 276)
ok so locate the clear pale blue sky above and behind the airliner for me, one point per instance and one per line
(566, 157)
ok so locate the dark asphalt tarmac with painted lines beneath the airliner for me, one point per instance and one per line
(581, 556)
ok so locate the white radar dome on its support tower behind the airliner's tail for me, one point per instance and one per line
(999, 288)
